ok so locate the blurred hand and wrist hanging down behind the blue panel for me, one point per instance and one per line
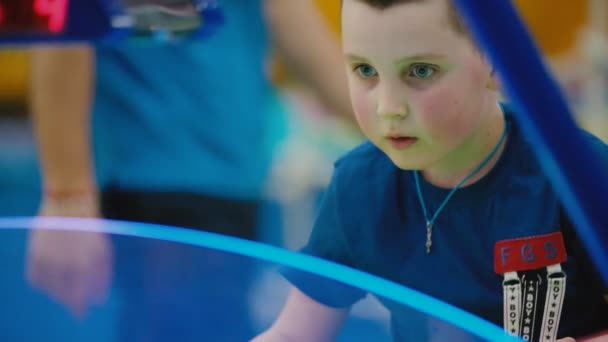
(74, 268)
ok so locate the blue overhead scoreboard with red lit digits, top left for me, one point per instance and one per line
(107, 21)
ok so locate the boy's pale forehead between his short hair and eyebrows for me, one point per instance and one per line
(406, 29)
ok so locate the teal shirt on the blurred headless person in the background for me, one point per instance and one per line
(186, 117)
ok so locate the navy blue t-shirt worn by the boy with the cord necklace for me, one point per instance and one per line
(371, 219)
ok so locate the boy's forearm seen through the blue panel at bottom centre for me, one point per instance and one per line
(305, 320)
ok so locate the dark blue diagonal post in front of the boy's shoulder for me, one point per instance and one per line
(574, 169)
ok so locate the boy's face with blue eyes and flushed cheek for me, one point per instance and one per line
(418, 87)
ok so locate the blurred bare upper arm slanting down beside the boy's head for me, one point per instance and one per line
(310, 48)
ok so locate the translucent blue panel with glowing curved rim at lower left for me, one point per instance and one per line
(172, 284)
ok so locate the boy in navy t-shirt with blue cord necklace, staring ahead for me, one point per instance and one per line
(448, 190)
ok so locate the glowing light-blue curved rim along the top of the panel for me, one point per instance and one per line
(378, 286)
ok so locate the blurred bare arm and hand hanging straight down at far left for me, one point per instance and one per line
(73, 268)
